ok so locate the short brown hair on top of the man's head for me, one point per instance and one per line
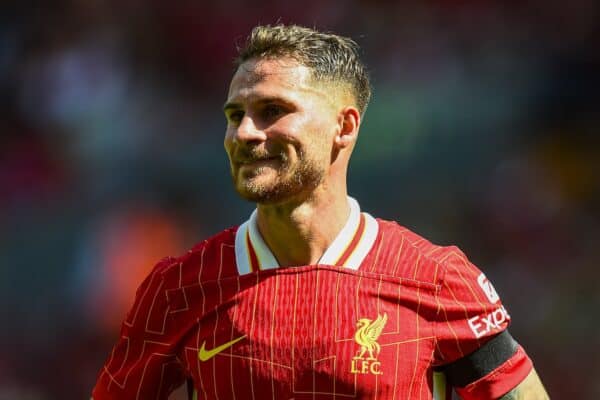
(330, 57)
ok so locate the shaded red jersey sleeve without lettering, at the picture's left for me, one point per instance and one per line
(143, 364)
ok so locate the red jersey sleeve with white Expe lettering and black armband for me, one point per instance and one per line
(471, 314)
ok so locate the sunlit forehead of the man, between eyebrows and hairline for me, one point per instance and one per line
(268, 77)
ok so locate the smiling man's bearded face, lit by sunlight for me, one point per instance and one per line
(280, 128)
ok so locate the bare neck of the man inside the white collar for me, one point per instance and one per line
(298, 233)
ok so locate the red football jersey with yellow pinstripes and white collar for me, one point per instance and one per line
(374, 318)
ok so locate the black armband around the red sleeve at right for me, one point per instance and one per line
(482, 361)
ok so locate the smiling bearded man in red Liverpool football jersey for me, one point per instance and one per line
(311, 298)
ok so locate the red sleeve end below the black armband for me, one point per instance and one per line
(501, 380)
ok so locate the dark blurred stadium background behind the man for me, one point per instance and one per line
(482, 132)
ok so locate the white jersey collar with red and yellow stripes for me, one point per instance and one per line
(348, 249)
